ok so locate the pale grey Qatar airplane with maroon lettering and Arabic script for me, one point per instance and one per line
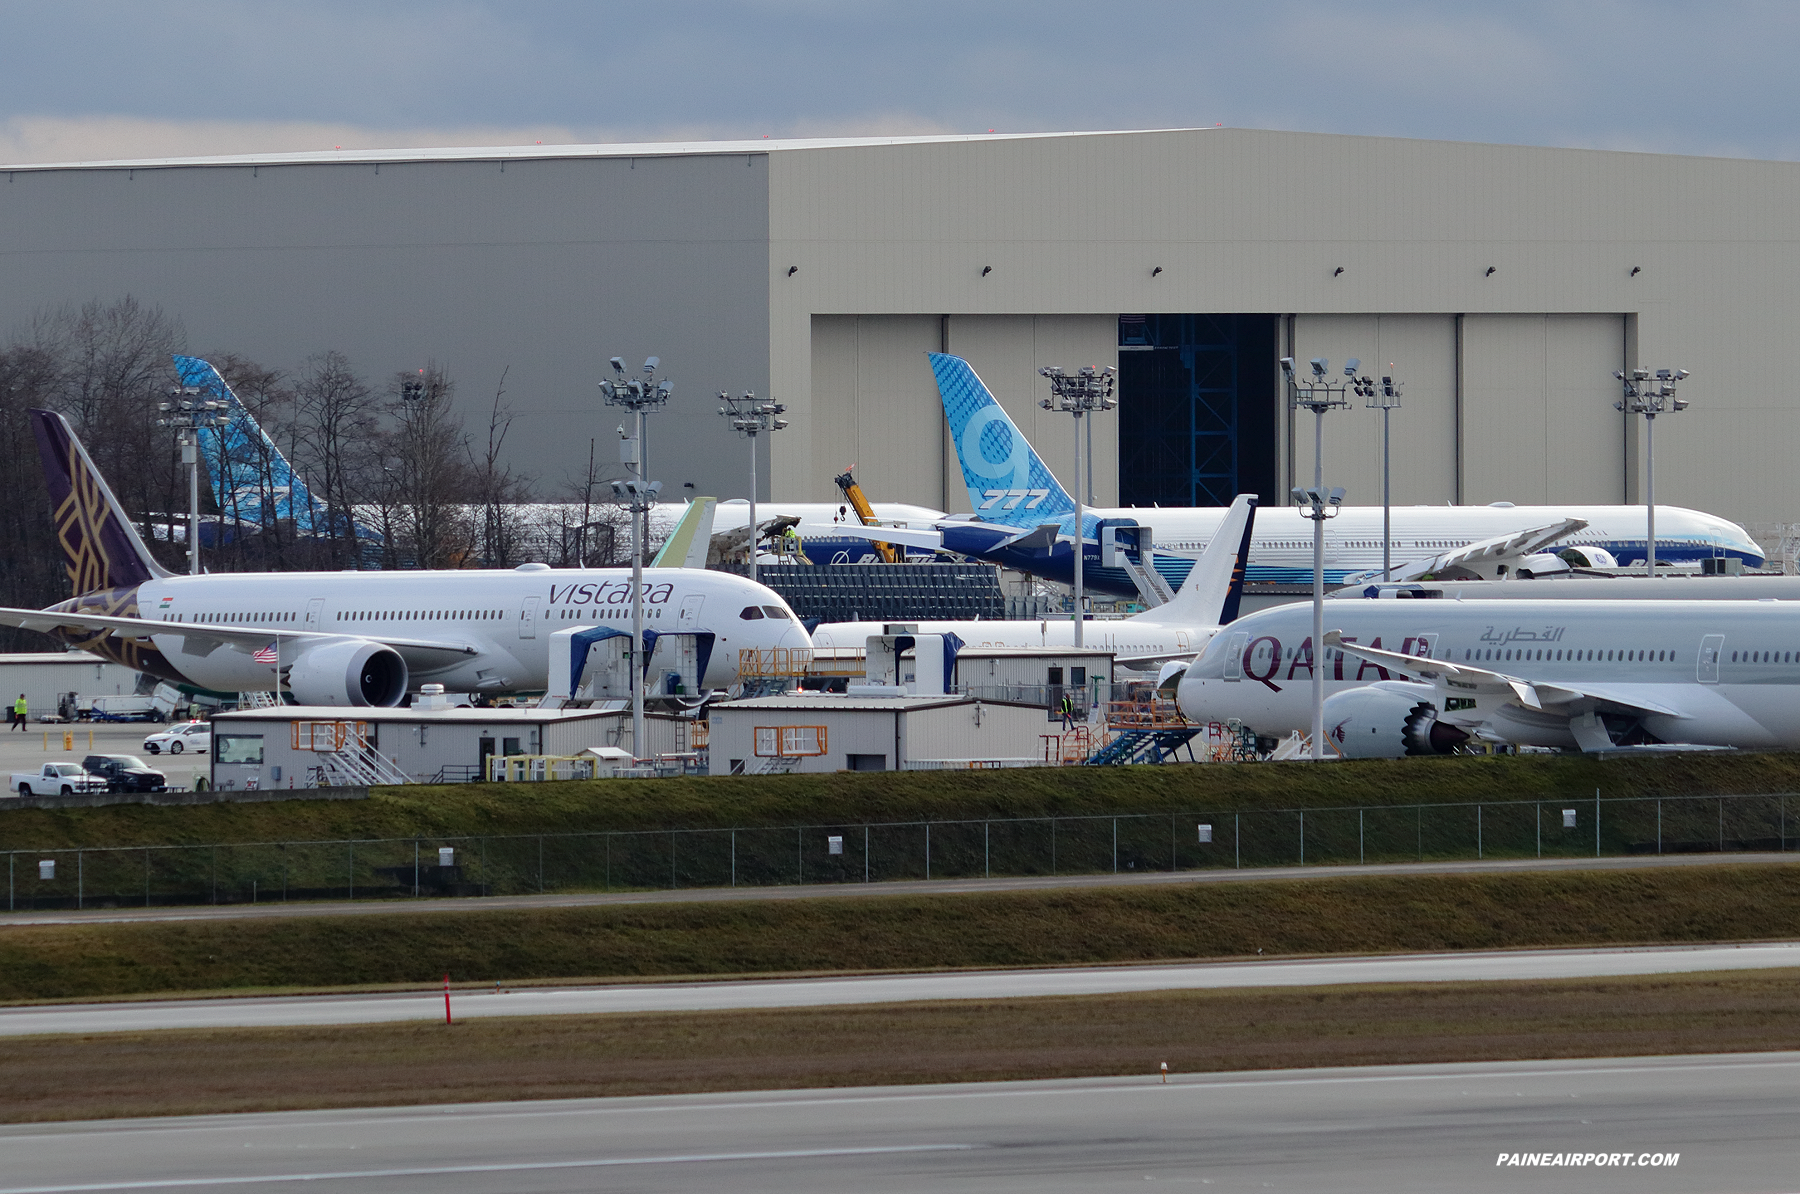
(1421, 678)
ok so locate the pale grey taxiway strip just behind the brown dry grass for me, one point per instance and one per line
(364, 1009)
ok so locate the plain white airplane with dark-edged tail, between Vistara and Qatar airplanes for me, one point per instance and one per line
(1207, 601)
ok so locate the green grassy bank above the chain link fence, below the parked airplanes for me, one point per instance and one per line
(897, 797)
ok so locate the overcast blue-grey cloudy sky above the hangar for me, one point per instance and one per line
(93, 78)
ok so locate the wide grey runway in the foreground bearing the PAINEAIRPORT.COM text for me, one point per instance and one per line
(1727, 1121)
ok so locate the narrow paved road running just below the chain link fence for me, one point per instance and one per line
(840, 891)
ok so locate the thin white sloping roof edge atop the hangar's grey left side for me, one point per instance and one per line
(487, 154)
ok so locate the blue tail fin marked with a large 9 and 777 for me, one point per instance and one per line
(1007, 482)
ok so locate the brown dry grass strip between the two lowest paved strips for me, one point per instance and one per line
(964, 1042)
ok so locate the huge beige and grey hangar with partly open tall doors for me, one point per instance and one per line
(1504, 285)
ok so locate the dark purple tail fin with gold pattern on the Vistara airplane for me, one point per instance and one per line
(100, 545)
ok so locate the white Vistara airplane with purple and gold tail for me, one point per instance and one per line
(361, 638)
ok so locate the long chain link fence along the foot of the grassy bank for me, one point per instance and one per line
(872, 853)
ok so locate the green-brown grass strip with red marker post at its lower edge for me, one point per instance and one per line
(1331, 914)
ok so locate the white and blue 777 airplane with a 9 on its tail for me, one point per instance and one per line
(1025, 520)
